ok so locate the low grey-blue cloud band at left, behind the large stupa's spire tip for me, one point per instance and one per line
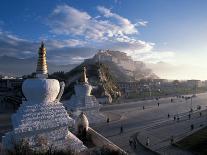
(60, 52)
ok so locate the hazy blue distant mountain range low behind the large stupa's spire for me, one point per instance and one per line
(13, 66)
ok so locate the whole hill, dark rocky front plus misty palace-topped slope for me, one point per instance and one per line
(104, 70)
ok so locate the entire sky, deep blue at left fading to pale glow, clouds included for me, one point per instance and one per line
(168, 35)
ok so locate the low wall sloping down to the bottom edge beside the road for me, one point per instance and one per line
(101, 141)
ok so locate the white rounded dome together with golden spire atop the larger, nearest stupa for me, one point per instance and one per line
(41, 89)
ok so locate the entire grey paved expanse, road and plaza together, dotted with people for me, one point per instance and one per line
(152, 122)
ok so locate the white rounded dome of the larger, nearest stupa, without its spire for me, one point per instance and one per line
(41, 90)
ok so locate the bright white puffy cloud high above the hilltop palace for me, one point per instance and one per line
(105, 30)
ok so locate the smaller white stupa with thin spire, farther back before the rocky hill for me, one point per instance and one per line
(83, 101)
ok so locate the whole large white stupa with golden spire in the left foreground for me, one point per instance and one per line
(42, 120)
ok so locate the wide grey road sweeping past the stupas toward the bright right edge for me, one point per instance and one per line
(134, 118)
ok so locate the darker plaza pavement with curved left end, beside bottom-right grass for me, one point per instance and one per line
(160, 135)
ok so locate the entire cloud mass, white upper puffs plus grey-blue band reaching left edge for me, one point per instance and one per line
(83, 34)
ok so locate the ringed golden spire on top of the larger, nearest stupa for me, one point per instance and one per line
(41, 71)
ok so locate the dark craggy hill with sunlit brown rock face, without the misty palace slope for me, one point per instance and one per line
(98, 75)
